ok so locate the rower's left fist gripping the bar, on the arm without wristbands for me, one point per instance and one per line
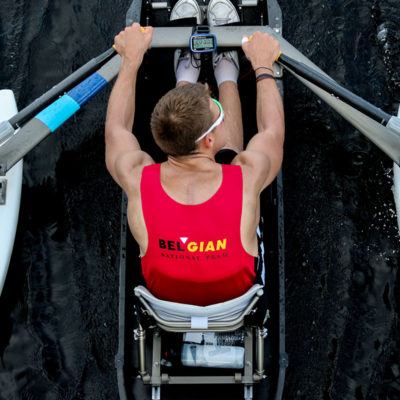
(133, 42)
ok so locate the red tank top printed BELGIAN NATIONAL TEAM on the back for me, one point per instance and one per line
(195, 253)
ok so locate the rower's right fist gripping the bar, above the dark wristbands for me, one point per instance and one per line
(261, 50)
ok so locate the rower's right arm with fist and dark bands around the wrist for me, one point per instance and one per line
(264, 151)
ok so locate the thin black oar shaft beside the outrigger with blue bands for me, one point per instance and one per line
(68, 83)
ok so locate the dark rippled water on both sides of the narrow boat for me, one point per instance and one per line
(59, 307)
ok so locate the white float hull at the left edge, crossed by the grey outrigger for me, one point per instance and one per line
(13, 180)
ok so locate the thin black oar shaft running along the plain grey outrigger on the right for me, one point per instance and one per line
(334, 89)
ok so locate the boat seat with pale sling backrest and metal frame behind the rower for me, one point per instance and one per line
(164, 316)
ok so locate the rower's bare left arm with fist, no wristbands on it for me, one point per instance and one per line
(123, 151)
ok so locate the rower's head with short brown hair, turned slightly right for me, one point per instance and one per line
(181, 117)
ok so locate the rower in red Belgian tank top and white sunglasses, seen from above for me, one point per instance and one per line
(195, 216)
